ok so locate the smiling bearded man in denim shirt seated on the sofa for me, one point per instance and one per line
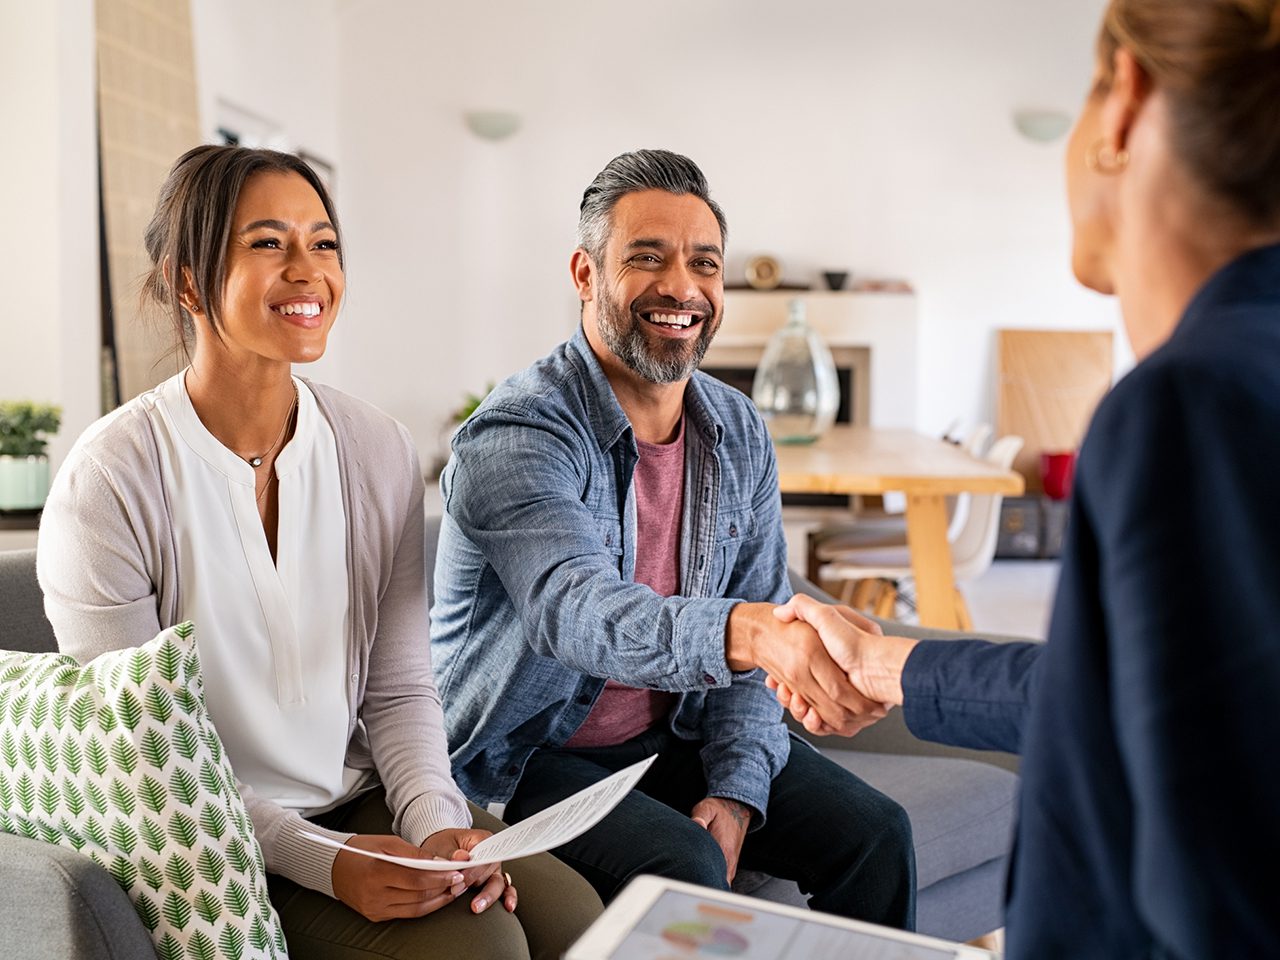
(610, 559)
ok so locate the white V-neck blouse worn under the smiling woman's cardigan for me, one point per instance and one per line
(272, 637)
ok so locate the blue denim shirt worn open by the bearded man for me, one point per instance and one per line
(536, 602)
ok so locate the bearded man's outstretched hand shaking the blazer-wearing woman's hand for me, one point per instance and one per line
(792, 652)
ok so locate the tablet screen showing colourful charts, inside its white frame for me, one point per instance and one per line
(683, 927)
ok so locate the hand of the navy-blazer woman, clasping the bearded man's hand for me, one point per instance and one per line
(874, 662)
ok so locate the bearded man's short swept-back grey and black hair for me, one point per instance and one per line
(630, 173)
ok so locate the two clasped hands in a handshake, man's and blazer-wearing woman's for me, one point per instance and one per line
(831, 668)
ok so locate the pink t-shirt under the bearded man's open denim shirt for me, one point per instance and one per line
(624, 712)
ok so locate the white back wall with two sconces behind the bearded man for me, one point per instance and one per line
(872, 135)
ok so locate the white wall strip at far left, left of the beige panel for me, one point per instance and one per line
(51, 317)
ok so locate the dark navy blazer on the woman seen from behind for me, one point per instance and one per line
(1150, 723)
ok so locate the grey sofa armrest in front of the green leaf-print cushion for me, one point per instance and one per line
(60, 906)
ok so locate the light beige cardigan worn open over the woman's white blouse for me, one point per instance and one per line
(107, 564)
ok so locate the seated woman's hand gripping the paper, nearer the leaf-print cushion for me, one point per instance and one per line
(383, 892)
